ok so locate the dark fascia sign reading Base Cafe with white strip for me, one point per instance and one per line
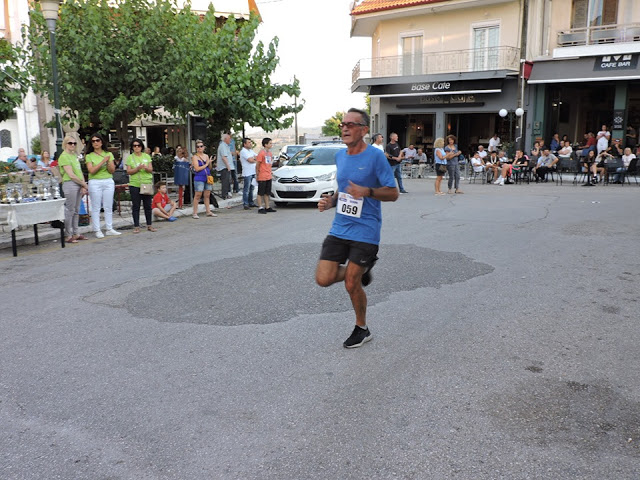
(441, 87)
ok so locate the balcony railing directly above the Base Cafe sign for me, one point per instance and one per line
(472, 60)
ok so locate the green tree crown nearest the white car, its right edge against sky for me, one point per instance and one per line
(223, 78)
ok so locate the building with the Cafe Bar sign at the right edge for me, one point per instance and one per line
(586, 71)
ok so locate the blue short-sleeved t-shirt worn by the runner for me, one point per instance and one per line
(368, 169)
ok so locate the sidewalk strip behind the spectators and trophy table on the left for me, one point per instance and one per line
(24, 235)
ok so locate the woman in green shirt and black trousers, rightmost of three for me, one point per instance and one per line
(139, 169)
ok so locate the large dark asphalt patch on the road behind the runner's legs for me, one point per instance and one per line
(279, 284)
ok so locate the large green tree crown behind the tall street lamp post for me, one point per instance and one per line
(110, 55)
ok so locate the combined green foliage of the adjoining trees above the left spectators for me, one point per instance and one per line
(119, 59)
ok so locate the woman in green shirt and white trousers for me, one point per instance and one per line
(101, 166)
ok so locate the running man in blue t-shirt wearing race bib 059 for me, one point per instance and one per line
(365, 179)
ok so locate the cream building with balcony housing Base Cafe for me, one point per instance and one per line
(441, 67)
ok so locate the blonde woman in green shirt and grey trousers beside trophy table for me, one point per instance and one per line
(73, 186)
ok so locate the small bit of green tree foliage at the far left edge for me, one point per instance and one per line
(13, 78)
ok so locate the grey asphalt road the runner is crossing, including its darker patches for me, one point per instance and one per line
(505, 326)
